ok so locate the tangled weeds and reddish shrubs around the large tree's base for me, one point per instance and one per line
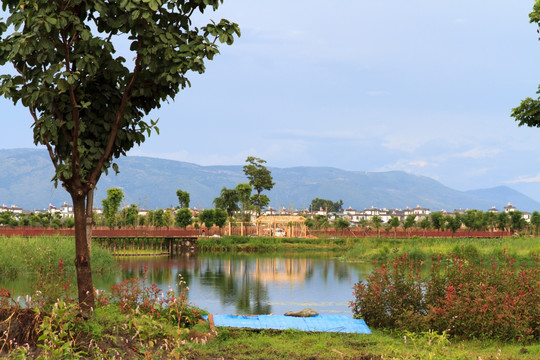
(137, 319)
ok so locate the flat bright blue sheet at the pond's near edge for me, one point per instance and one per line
(323, 323)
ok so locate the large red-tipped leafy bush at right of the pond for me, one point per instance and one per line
(465, 299)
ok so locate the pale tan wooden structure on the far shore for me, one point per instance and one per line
(281, 225)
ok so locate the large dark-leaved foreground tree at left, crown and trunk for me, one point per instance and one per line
(87, 102)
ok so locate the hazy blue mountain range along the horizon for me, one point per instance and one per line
(152, 183)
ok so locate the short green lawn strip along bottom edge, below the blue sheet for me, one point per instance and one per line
(239, 344)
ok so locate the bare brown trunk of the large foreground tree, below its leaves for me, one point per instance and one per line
(82, 257)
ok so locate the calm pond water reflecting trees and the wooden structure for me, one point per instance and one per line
(249, 284)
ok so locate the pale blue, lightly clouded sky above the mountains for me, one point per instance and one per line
(420, 86)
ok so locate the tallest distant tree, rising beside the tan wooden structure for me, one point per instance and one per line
(260, 178)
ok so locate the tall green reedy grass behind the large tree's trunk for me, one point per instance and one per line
(29, 255)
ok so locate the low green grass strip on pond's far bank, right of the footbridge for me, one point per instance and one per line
(380, 249)
